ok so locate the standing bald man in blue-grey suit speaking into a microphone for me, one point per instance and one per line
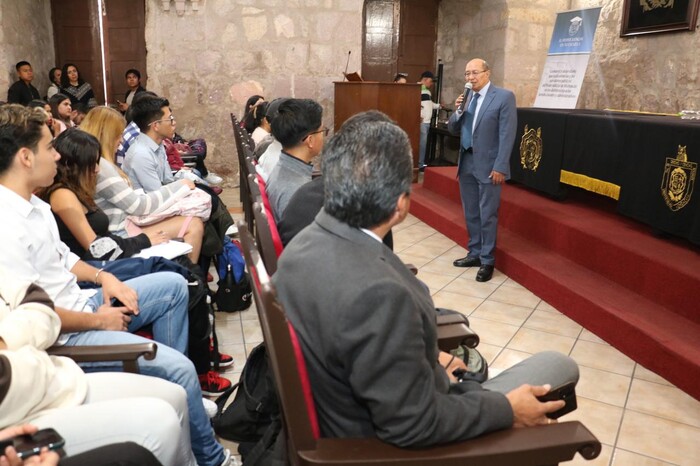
(487, 125)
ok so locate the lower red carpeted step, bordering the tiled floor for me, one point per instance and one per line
(654, 336)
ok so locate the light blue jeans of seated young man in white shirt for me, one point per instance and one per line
(163, 300)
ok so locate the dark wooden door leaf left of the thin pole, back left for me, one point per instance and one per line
(77, 39)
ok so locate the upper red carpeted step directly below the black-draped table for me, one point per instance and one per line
(625, 251)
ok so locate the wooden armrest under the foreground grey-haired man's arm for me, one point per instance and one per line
(541, 445)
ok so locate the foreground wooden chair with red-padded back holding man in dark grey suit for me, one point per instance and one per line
(541, 445)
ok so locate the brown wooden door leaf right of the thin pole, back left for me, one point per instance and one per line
(125, 44)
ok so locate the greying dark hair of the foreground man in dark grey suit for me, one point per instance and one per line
(366, 166)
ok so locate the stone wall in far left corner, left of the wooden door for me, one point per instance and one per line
(25, 34)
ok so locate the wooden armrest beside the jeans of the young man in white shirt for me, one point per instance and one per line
(127, 354)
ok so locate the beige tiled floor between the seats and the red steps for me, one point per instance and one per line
(641, 419)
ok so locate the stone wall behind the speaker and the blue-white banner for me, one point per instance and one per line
(656, 72)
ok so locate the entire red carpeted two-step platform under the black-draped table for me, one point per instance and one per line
(638, 292)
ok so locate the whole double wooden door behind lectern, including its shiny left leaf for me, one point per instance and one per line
(399, 36)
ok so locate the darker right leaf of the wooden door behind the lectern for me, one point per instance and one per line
(418, 37)
